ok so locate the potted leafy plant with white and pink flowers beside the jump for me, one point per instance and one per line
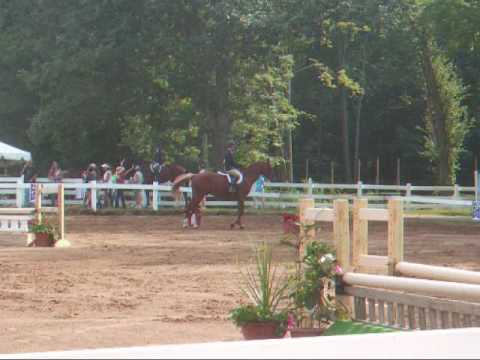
(312, 291)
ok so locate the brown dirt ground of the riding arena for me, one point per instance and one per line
(142, 280)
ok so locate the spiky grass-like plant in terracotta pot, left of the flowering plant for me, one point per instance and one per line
(261, 317)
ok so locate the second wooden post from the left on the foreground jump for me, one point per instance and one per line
(341, 233)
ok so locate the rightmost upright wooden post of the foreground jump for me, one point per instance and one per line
(395, 234)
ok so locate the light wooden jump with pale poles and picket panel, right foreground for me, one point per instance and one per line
(438, 297)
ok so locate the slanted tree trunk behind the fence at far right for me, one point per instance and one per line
(438, 118)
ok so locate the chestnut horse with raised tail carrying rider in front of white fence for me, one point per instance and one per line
(216, 184)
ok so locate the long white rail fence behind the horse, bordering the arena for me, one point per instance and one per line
(13, 192)
